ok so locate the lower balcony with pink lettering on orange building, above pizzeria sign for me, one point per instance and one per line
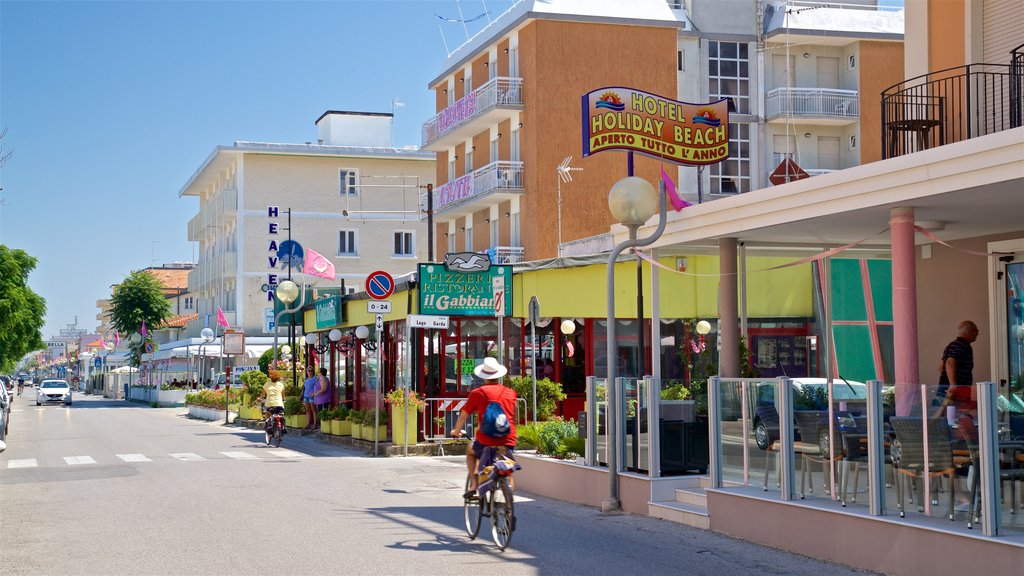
(497, 182)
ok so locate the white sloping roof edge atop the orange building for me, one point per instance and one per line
(637, 13)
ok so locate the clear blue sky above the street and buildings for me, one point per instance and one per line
(111, 107)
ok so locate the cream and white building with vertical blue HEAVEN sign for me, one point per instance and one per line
(352, 197)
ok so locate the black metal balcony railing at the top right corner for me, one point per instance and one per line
(953, 105)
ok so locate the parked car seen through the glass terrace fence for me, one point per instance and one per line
(810, 410)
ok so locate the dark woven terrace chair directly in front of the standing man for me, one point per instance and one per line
(909, 458)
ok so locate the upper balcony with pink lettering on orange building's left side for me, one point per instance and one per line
(496, 101)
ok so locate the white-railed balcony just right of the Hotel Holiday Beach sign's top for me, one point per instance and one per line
(826, 107)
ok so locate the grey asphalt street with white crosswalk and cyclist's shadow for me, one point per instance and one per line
(110, 487)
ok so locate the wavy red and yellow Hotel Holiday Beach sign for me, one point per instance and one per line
(619, 118)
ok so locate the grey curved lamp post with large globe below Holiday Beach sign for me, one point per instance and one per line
(632, 201)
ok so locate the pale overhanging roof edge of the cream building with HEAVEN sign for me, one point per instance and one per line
(221, 156)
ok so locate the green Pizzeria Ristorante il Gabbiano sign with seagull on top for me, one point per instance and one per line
(462, 294)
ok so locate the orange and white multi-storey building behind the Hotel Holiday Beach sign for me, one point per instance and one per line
(508, 108)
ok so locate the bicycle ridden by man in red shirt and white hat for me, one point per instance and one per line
(497, 501)
